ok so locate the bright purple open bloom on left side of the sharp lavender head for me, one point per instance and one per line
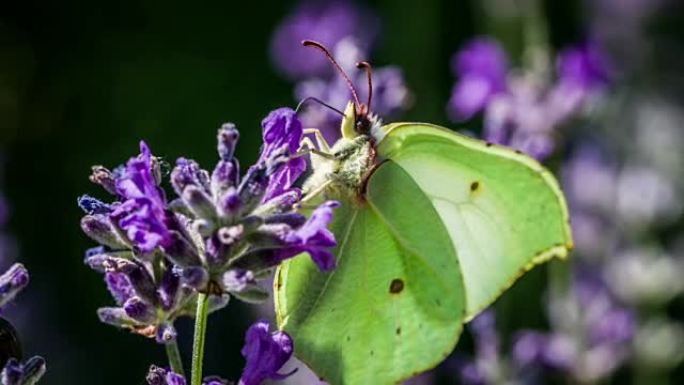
(143, 213)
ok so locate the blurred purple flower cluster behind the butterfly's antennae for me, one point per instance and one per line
(348, 31)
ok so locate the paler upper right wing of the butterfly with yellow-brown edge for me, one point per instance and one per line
(504, 212)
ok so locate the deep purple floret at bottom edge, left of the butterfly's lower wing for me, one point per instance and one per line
(265, 353)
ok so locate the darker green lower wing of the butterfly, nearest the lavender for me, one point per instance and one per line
(395, 304)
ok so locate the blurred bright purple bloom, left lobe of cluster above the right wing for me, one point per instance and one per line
(481, 67)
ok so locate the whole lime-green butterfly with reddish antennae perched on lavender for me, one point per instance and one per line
(433, 227)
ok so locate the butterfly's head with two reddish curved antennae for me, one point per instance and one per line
(358, 119)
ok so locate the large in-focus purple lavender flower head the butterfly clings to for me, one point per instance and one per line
(218, 236)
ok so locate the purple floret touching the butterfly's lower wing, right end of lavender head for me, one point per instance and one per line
(313, 237)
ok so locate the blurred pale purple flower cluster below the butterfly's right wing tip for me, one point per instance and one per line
(590, 333)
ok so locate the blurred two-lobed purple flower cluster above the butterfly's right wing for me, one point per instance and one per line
(522, 110)
